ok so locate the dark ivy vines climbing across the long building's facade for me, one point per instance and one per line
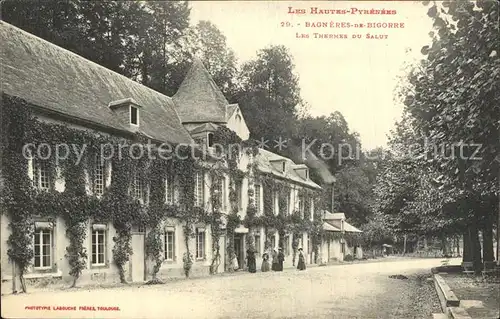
(77, 205)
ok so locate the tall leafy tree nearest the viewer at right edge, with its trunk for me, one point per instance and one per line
(453, 104)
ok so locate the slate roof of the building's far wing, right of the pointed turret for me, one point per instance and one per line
(263, 160)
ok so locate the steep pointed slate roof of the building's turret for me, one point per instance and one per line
(198, 98)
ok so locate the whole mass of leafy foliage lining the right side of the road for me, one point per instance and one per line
(446, 184)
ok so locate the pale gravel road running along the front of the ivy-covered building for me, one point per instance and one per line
(346, 291)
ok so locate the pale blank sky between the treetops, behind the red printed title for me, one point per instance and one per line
(357, 77)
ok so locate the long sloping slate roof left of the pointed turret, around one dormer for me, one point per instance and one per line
(56, 79)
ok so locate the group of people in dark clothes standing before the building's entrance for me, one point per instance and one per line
(276, 264)
